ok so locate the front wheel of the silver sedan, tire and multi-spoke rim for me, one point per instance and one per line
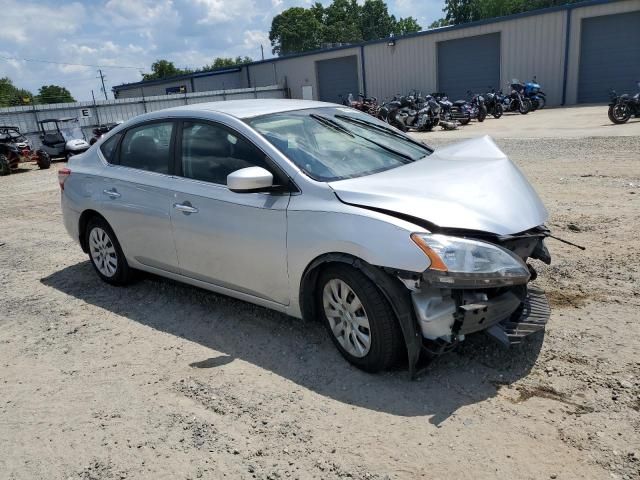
(384, 334)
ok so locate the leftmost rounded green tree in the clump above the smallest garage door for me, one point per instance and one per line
(295, 30)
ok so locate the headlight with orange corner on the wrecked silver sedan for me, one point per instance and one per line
(470, 263)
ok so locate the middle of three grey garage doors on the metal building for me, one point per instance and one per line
(471, 63)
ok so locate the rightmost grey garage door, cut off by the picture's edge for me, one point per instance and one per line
(609, 56)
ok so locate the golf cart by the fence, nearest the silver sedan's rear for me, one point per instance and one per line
(62, 137)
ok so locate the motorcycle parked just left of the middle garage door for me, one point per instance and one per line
(412, 112)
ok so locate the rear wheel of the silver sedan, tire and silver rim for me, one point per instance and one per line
(104, 246)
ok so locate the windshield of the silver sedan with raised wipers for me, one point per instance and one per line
(334, 143)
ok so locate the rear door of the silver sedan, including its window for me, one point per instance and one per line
(135, 197)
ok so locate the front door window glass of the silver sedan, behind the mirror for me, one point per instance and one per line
(211, 152)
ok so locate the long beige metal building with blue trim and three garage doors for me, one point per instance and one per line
(578, 53)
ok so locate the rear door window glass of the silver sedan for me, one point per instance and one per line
(147, 147)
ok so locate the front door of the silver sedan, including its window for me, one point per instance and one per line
(232, 240)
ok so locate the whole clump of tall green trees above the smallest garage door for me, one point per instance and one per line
(300, 29)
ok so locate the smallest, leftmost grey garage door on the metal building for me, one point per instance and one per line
(338, 76)
